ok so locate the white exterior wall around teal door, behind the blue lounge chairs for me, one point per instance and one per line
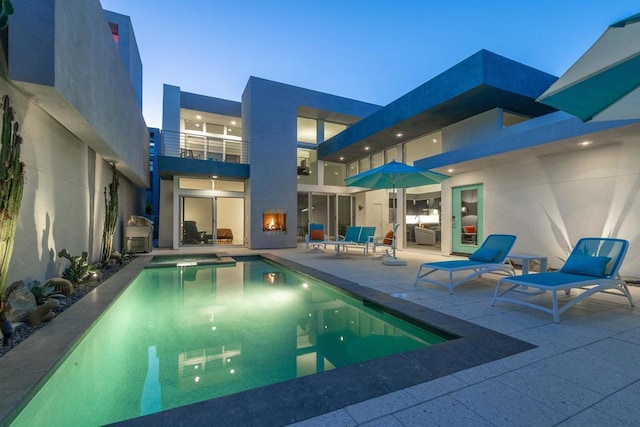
(551, 202)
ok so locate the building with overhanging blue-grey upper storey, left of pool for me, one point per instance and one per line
(74, 76)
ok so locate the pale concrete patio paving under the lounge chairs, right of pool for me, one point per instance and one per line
(584, 370)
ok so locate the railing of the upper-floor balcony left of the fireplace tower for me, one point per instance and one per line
(197, 146)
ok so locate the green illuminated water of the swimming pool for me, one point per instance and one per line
(182, 335)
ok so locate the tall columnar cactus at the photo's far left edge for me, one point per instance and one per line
(11, 188)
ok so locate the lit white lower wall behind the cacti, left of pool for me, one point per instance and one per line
(63, 200)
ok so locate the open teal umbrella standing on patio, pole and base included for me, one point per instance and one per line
(391, 176)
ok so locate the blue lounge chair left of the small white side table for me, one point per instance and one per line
(490, 257)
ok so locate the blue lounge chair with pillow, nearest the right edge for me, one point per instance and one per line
(592, 266)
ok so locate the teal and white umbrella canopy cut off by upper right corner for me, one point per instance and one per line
(604, 84)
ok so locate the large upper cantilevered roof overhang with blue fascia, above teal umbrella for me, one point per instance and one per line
(480, 83)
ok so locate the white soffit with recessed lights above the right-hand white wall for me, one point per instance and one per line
(621, 135)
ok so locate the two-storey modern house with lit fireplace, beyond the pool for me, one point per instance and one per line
(269, 165)
